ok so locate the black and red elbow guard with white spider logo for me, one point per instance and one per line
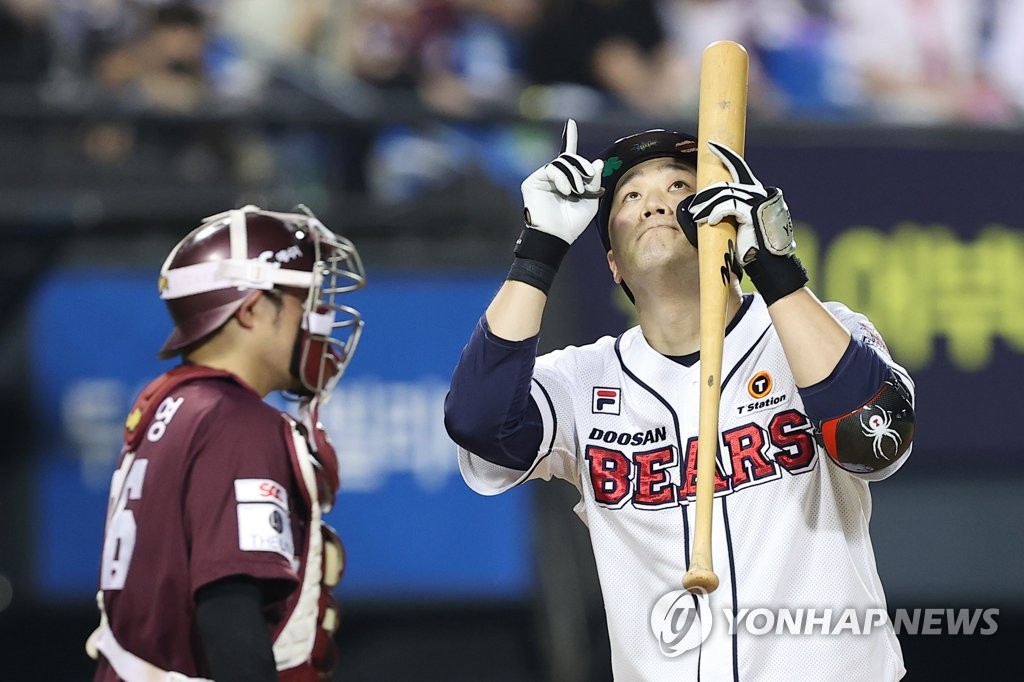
(876, 435)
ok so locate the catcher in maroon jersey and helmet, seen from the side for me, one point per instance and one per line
(216, 563)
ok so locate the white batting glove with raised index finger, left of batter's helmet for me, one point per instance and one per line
(562, 197)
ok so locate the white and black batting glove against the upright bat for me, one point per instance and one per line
(762, 218)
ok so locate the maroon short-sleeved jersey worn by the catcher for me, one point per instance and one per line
(208, 492)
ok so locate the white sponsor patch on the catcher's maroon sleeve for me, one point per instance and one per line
(265, 522)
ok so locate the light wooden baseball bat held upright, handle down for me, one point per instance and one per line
(721, 117)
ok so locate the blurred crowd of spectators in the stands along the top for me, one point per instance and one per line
(893, 62)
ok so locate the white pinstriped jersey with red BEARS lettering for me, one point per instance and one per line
(791, 529)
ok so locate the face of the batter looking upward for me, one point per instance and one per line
(643, 226)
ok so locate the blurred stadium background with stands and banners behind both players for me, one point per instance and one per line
(122, 124)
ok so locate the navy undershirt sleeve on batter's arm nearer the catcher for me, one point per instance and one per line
(489, 410)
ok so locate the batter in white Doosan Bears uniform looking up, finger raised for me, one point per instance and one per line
(813, 410)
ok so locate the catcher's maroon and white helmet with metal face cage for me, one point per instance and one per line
(216, 268)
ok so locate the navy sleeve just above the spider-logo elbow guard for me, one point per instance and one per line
(857, 378)
